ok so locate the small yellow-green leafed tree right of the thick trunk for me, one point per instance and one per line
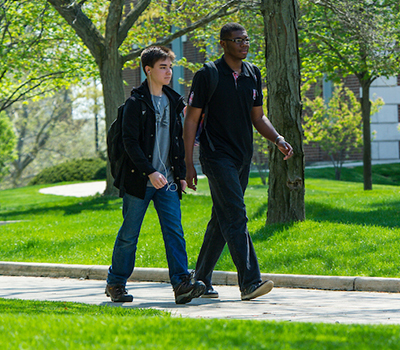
(336, 125)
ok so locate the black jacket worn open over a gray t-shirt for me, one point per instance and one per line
(139, 139)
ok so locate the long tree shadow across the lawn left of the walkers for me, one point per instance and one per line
(95, 203)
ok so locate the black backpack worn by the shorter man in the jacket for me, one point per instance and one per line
(115, 147)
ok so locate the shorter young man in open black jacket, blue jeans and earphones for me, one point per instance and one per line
(154, 170)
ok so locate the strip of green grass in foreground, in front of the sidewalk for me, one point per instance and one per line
(59, 325)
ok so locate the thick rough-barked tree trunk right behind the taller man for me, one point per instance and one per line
(286, 178)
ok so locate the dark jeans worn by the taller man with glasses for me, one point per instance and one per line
(228, 223)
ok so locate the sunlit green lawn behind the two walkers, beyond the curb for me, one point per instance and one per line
(348, 231)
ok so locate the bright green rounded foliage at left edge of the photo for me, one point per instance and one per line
(7, 143)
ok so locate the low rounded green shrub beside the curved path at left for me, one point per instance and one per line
(73, 170)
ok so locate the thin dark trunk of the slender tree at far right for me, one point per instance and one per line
(366, 117)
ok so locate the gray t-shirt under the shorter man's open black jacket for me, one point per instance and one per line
(162, 142)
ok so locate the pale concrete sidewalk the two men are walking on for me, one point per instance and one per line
(282, 304)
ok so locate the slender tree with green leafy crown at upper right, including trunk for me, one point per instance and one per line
(344, 37)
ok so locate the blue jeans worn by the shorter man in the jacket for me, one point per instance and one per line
(167, 205)
